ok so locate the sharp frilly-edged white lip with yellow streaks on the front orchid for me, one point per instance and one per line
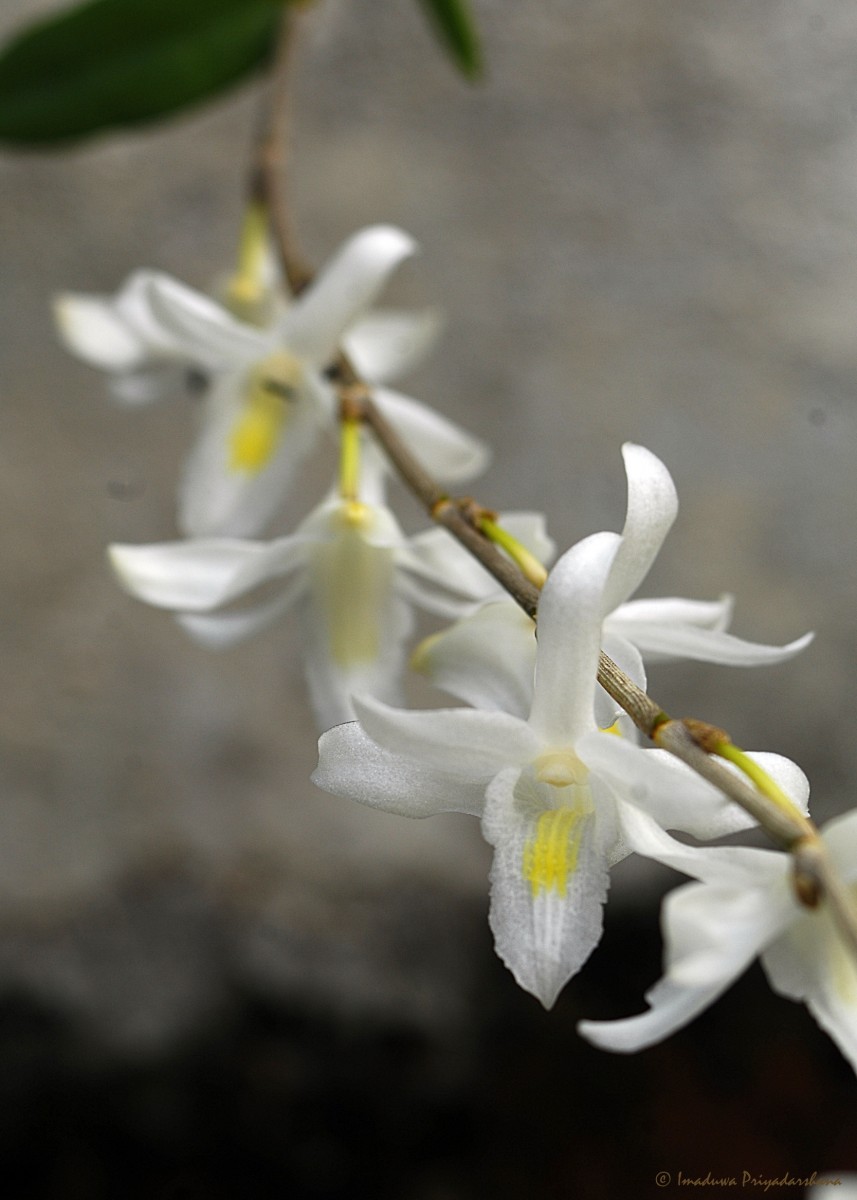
(549, 883)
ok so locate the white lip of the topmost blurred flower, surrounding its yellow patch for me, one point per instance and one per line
(217, 499)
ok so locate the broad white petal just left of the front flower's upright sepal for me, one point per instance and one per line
(487, 659)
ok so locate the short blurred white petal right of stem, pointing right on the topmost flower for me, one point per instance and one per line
(386, 345)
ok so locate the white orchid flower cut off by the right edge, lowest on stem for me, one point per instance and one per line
(745, 908)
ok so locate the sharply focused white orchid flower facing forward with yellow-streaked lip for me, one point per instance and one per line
(553, 790)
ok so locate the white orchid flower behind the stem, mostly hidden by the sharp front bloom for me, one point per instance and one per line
(464, 661)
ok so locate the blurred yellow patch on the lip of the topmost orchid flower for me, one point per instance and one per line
(259, 430)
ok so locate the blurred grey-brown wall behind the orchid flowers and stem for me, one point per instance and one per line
(642, 226)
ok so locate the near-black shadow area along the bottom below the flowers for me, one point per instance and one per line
(287, 1100)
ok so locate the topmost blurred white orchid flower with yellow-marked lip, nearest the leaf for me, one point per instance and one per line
(269, 398)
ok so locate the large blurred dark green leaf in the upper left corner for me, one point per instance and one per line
(117, 63)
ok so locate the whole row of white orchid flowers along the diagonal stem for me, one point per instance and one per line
(535, 748)
